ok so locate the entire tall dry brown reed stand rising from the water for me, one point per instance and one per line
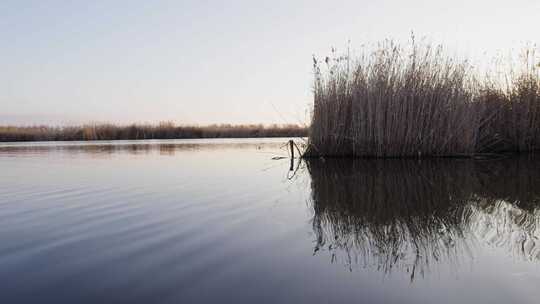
(395, 101)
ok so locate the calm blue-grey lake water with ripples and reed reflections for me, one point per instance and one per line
(220, 221)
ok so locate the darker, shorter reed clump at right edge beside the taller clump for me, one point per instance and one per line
(510, 108)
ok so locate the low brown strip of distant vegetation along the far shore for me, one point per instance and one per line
(164, 130)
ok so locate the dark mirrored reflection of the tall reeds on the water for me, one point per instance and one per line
(408, 215)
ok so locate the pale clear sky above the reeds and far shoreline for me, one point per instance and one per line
(213, 61)
